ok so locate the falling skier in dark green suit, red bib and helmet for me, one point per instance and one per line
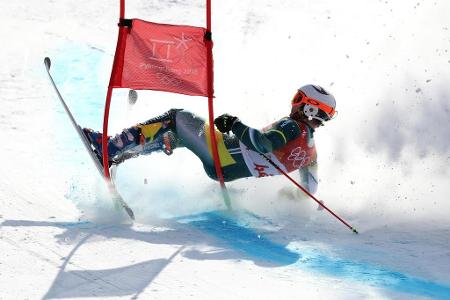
(288, 142)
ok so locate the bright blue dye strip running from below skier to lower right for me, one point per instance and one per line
(227, 227)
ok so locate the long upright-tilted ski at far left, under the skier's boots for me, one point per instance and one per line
(116, 197)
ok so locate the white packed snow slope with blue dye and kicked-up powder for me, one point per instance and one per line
(383, 162)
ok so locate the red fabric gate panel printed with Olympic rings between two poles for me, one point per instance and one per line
(171, 58)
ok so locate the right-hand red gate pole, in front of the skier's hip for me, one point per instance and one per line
(212, 133)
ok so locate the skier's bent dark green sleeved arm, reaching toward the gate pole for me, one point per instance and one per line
(276, 137)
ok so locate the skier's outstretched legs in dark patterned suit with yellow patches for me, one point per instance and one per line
(175, 128)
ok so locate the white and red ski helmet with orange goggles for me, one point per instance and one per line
(314, 102)
